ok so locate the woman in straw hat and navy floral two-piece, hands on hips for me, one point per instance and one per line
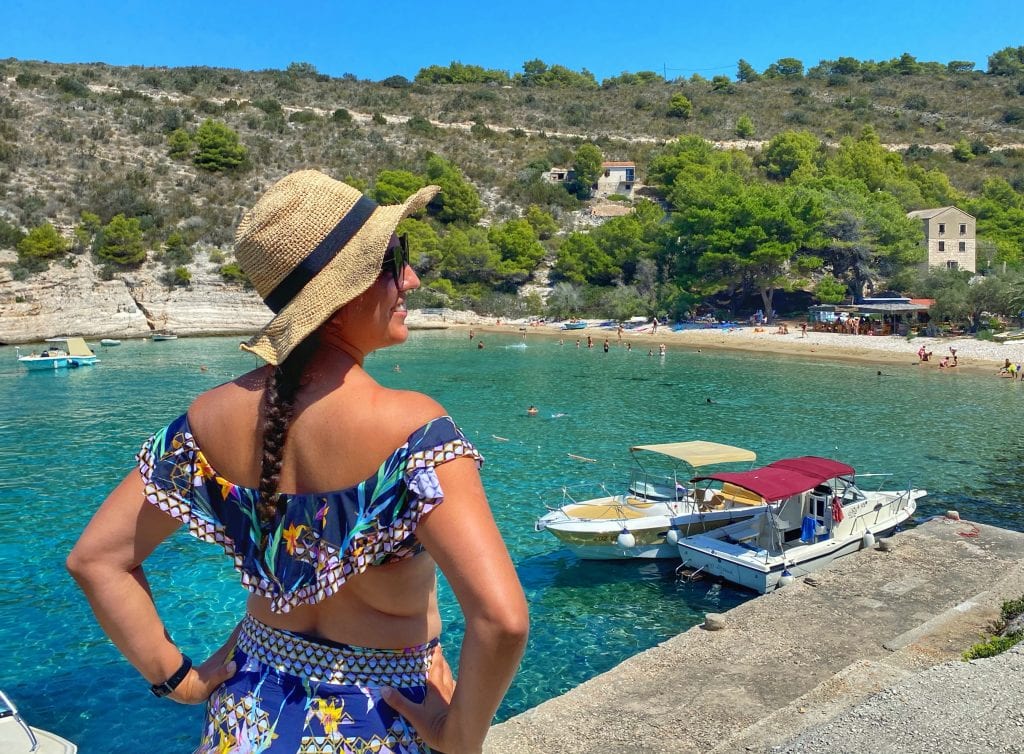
(335, 497)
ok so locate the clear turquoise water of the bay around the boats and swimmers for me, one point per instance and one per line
(68, 438)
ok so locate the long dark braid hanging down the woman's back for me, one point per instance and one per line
(282, 389)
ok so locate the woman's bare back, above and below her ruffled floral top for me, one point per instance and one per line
(344, 428)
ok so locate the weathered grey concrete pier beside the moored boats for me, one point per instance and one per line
(794, 659)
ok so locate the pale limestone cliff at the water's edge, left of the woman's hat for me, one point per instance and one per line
(73, 300)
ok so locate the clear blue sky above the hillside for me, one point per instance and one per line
(377, 39)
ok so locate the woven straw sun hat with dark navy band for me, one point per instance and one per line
(310, 246)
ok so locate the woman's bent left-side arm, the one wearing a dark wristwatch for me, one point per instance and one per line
(107, 563)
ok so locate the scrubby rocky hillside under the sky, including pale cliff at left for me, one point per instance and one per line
(98, 140)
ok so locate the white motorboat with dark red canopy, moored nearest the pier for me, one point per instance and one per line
(817, 515)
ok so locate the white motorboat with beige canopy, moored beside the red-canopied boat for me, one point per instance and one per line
(610, 526)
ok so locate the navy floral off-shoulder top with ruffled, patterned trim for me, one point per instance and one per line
(323, 538)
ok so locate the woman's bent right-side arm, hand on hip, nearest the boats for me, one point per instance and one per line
(462, 537)
